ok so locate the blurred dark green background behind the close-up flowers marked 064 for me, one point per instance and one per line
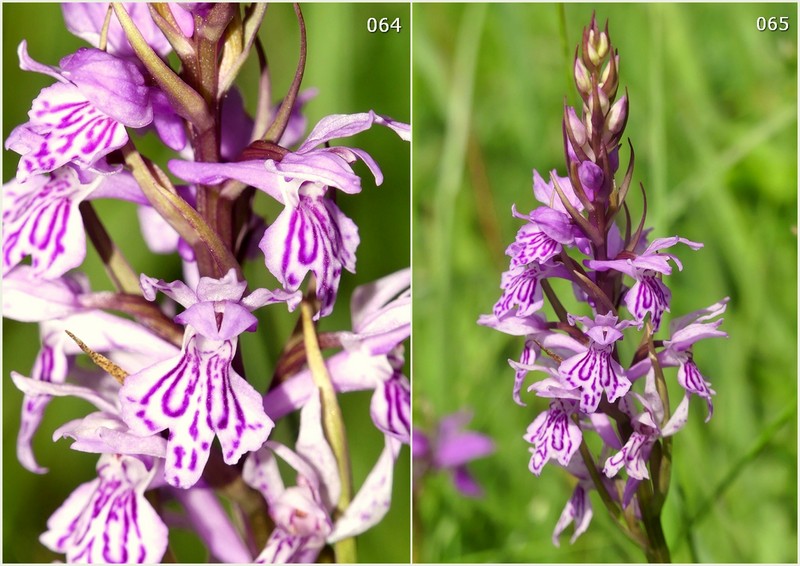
(354, 71)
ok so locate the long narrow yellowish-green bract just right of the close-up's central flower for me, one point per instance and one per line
(332, 424)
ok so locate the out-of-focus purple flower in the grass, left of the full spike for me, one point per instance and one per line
(451, 448)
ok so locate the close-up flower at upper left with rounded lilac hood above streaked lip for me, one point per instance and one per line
(82, 118)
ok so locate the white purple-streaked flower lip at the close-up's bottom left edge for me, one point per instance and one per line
(109, 520)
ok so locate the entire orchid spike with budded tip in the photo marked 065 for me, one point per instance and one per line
(590, 390)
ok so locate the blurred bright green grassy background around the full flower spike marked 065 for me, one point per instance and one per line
(713, 119)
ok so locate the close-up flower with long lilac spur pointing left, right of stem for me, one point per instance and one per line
(311, 234)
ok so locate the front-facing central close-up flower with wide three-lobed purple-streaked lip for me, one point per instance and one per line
(197, 394)
